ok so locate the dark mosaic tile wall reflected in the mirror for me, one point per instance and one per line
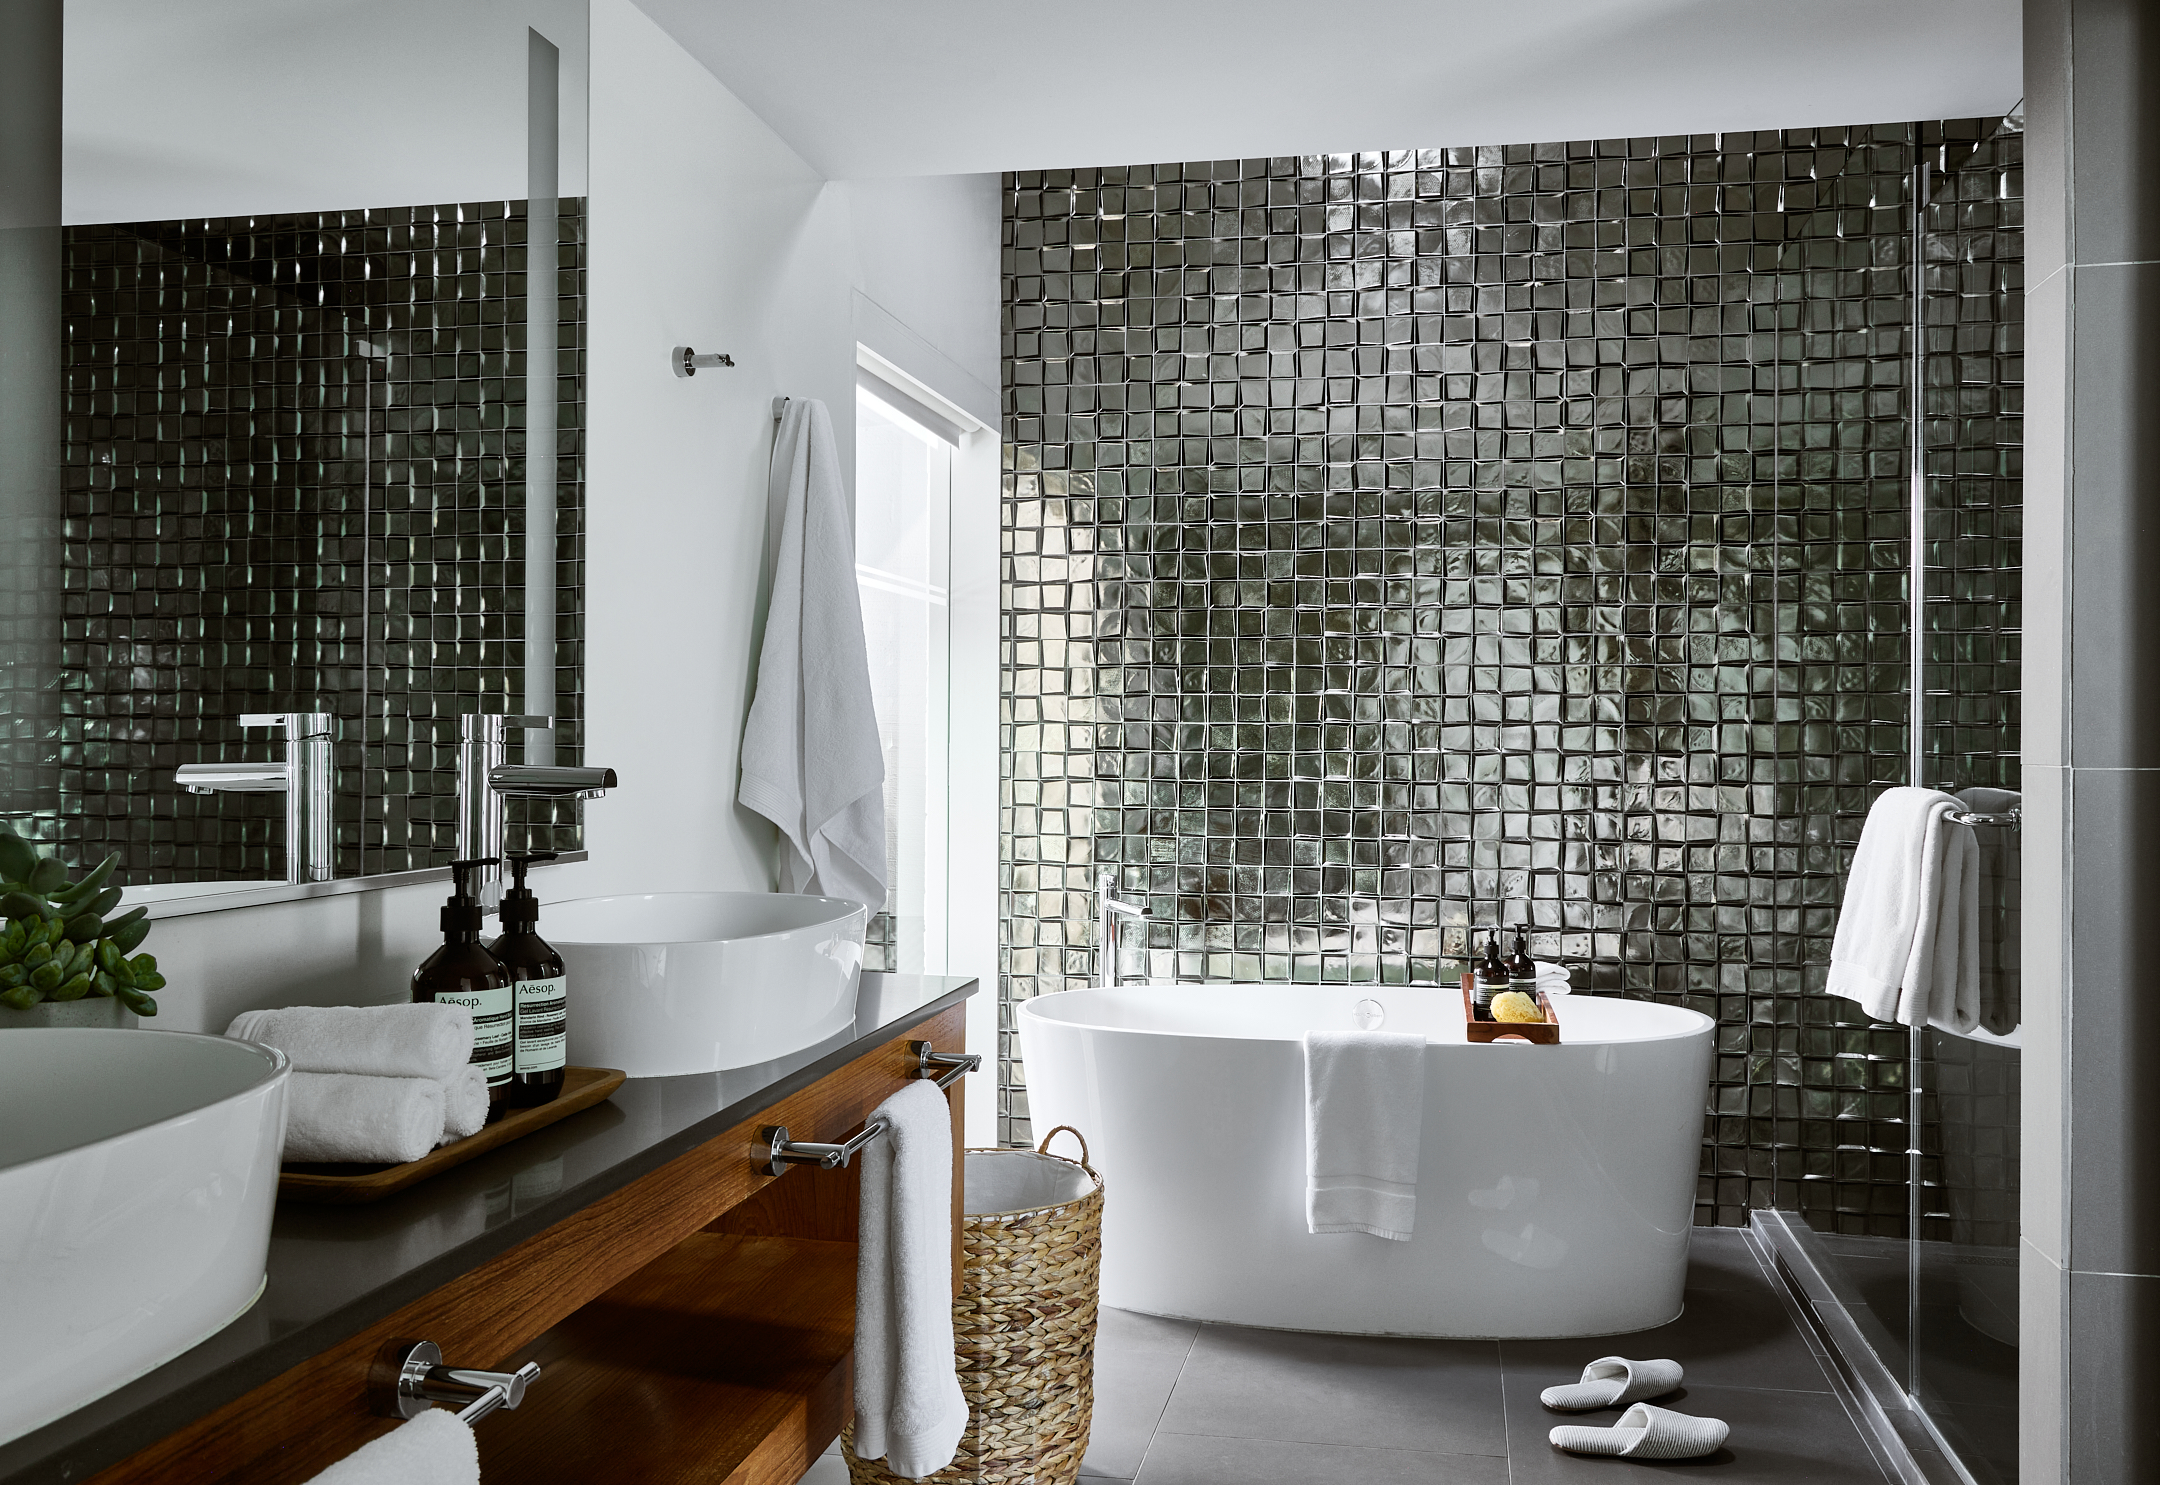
(295, 482)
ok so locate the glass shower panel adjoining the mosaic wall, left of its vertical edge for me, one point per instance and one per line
(1844, 495)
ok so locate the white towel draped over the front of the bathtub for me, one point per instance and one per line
(1364, 1115)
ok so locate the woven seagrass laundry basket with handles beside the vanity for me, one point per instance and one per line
(1025, 1331)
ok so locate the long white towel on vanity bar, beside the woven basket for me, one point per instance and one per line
(908, 1404)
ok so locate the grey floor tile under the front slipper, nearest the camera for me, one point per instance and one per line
(1779, 1439)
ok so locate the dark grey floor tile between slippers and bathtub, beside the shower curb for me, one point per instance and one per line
(1729, 1339)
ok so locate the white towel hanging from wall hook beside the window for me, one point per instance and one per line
(811, 757)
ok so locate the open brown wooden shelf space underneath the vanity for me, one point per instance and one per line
(725, 1363)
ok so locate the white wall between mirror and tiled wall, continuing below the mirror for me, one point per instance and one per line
(707, 230)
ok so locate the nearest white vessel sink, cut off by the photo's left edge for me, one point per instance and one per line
(137, 1182)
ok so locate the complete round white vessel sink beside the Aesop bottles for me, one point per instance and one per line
(705, 981)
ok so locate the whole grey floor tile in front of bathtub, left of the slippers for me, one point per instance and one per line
(1366, 1391)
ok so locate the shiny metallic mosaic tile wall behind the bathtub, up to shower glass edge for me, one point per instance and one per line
(1466, 536)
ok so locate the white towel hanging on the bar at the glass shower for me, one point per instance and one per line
(1908, 944)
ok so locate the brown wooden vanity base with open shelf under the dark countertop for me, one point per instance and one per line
(694, 1324)
